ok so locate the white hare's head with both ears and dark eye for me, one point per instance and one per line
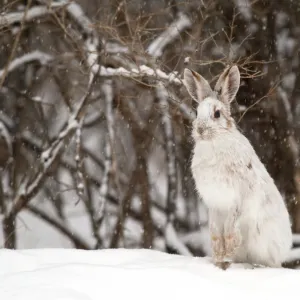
(213, 112)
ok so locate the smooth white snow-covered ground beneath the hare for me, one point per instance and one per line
(65, 274)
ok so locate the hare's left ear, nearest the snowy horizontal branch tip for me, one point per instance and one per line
(196, 85)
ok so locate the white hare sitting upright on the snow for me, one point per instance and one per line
(249, 222)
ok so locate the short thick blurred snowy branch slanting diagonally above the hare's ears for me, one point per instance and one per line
(156, 48)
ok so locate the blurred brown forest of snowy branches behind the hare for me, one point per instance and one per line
(95, 123)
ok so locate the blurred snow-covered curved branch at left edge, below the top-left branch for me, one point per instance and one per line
(39, 56)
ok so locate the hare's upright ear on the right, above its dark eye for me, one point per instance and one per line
(228, 84)
